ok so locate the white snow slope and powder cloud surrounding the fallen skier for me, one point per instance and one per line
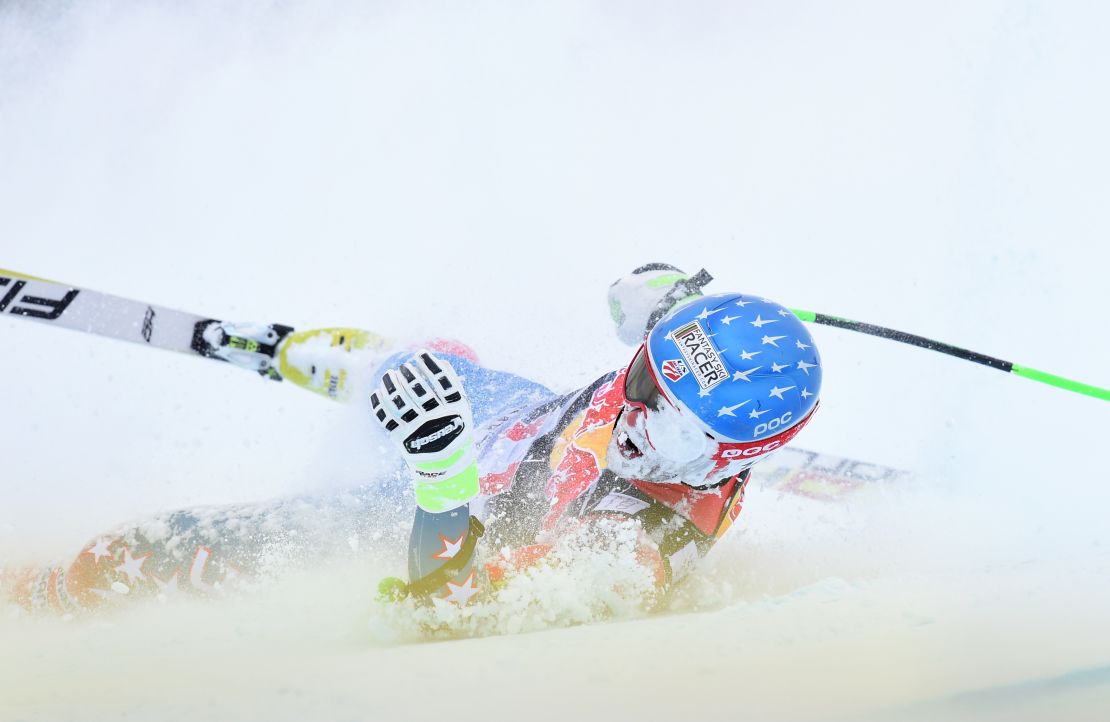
(483, 172)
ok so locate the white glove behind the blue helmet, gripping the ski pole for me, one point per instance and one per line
(639, 300)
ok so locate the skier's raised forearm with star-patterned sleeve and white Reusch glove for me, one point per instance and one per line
(423, 407)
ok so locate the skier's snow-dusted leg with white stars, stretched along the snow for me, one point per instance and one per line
(200, 551)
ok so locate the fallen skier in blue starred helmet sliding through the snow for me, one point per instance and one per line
(499, 463)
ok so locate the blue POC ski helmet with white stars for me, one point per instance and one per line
(744, 367)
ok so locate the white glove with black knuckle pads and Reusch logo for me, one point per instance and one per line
(423, 407)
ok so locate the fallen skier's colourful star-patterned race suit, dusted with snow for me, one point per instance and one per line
(542, 463)
